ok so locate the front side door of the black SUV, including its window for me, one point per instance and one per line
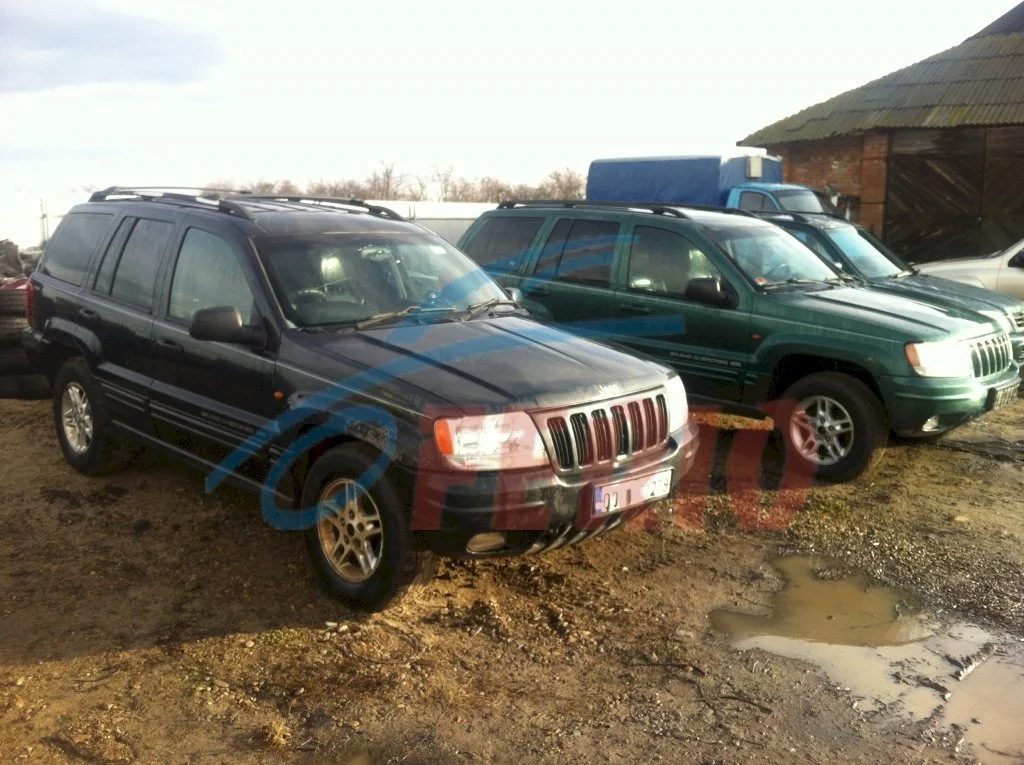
(210, 397)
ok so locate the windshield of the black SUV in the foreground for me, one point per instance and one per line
(344, 278)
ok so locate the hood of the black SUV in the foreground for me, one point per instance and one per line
(505, 362)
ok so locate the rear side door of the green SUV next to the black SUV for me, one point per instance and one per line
(571, 278)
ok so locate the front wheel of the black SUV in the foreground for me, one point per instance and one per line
(400, 563)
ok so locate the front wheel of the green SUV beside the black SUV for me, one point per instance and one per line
(843, 400)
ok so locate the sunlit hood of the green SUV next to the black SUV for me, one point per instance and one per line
(891, 316)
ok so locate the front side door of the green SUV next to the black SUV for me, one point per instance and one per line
(711, 349)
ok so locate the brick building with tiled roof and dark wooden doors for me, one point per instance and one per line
(931, 155)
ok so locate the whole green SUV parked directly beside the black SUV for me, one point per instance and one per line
(758, 319)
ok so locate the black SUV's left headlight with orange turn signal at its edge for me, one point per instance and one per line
(506, 442)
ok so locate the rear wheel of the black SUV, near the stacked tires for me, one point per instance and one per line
(98, 456)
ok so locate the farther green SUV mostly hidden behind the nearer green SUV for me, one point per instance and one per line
(856, 251)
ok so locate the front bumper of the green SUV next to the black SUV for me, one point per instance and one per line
(912, 402)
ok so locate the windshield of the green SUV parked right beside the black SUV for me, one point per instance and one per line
(769, 256)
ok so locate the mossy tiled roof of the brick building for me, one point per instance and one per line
(978, 83)
